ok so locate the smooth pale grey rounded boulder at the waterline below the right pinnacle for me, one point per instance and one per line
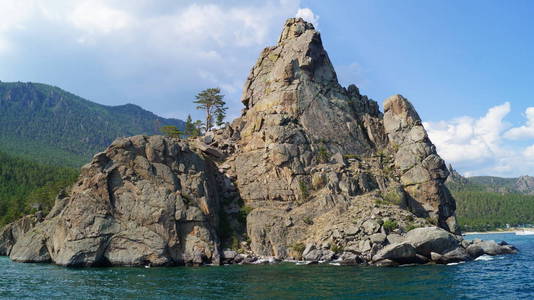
(432, 239)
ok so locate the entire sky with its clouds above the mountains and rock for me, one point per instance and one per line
(467, 66)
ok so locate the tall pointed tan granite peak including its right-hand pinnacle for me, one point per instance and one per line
(309, 149)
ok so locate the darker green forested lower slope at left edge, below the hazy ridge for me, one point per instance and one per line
(26, 186)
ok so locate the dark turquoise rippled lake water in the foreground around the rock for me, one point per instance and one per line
(504, 277)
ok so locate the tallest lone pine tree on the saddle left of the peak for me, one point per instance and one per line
(211, 101)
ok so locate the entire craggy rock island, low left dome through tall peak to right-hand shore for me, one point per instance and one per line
(310, 171)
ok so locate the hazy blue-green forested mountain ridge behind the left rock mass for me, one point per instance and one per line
(47, 124)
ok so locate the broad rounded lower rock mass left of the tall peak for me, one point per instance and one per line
(145, 200)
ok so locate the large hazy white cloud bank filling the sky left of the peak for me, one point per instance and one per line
(152, 51)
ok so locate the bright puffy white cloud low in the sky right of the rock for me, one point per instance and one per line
(477, 146)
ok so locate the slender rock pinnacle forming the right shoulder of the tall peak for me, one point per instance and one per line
(423, 172)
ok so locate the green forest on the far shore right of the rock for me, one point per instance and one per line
(480, 210)
